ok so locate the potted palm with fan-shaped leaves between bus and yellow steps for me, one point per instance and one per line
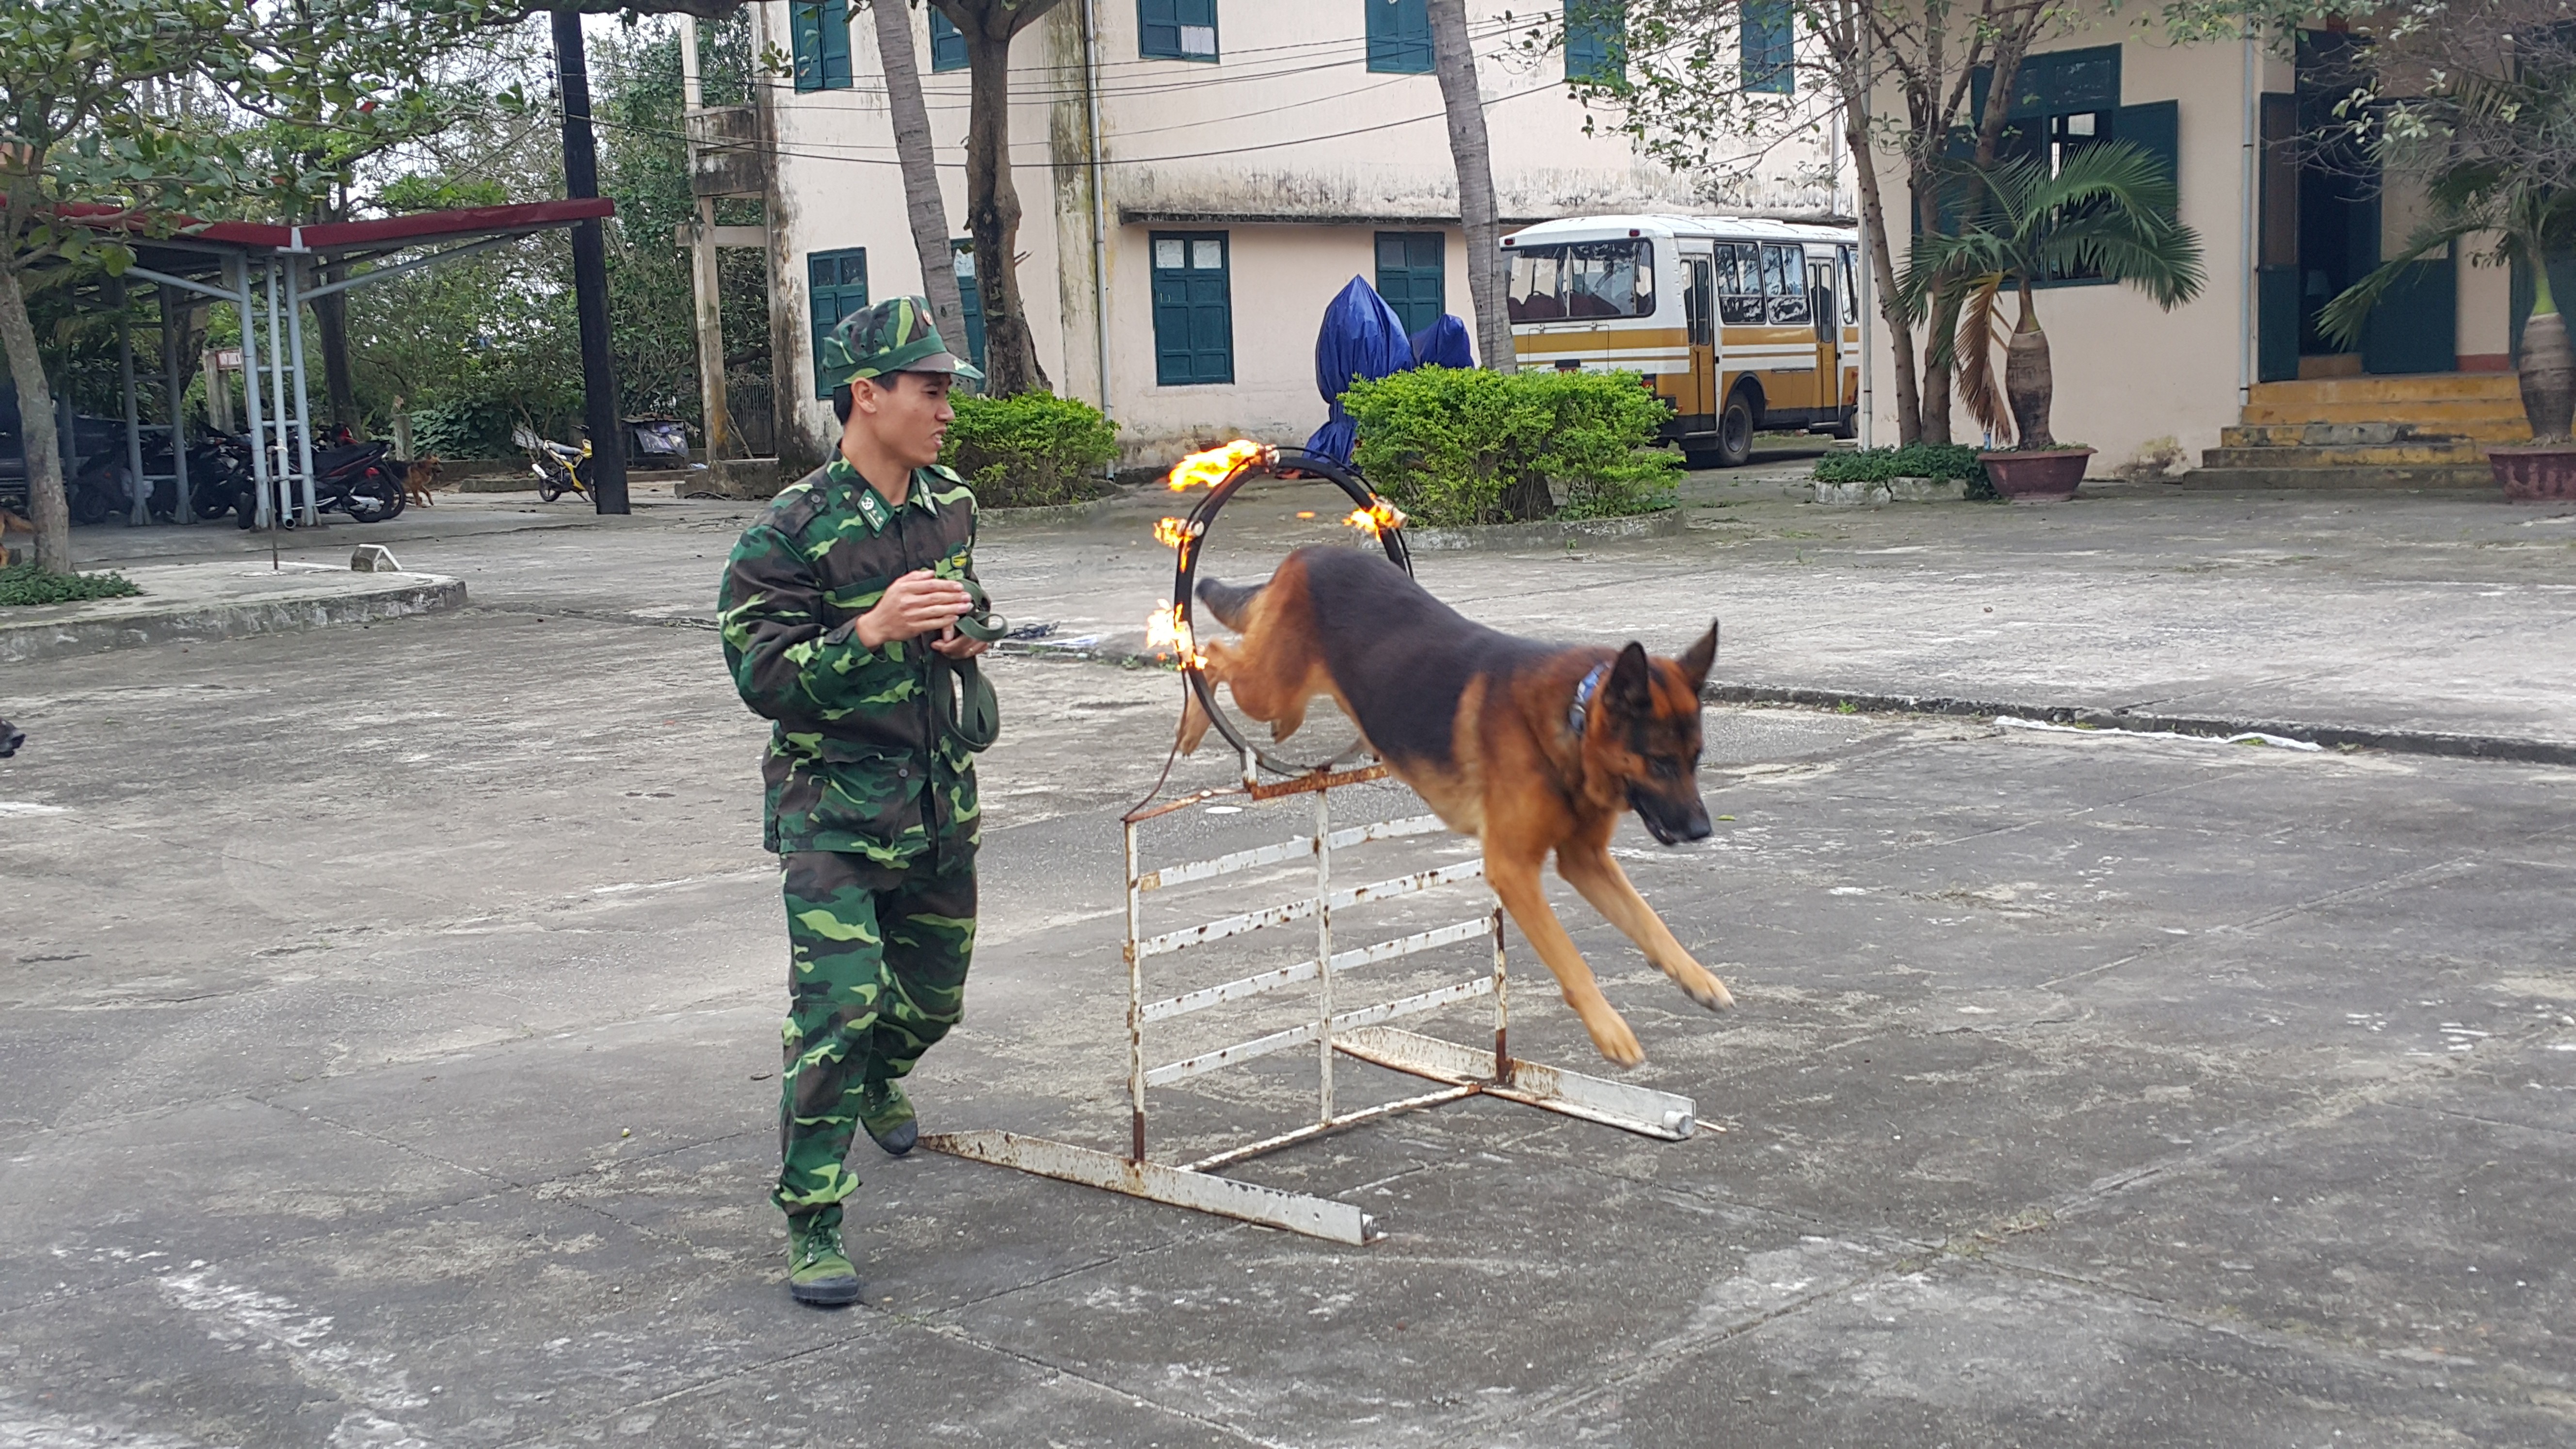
(2106, 213)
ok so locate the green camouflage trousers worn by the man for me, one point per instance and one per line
(877, 973)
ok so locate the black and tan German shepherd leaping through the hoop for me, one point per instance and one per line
(1526, 746)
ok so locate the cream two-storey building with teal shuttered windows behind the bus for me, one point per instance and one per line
(1202, 177)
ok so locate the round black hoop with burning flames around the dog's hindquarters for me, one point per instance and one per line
(1222, 473)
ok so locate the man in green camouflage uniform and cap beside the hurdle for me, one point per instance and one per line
(833, 607)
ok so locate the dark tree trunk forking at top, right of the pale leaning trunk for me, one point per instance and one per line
(993, 202)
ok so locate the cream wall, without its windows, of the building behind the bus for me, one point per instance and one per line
(1289, 143)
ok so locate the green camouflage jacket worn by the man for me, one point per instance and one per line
(854, 762)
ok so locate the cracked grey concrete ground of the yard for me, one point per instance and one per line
(390, 1027)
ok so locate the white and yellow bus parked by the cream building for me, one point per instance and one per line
(1738, 324)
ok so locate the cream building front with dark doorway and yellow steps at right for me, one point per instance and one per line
(2240, 380)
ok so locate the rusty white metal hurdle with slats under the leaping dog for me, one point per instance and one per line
(1336, 1030)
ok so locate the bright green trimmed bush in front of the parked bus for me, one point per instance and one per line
(1449, 445)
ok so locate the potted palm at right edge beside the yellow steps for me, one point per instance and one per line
(2497, 156)
